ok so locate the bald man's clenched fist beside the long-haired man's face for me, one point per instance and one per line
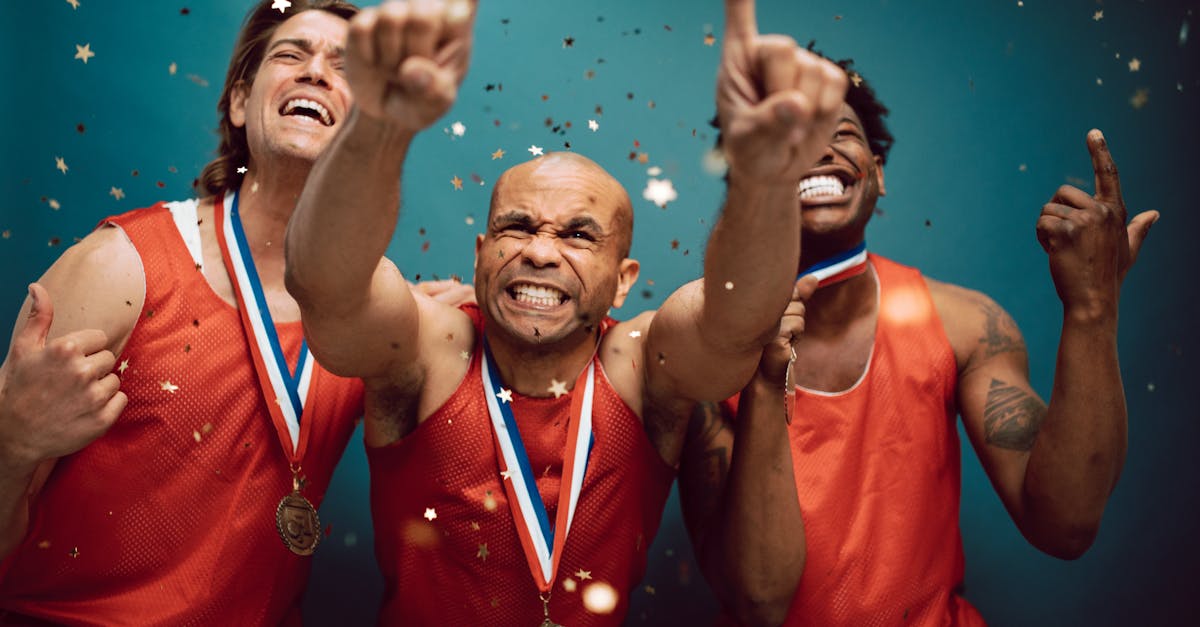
(405, 61)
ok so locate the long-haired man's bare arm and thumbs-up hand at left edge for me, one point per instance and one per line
(57, 389)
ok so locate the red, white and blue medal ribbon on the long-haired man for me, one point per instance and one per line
(285, 391)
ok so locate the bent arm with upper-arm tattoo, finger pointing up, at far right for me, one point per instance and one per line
(1057, 467)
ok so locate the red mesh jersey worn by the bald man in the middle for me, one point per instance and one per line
(467, 566)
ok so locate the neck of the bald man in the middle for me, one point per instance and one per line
(531, 369)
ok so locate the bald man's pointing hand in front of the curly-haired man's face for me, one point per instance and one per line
(778, 104)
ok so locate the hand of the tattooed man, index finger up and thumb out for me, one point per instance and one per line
(1087, 237)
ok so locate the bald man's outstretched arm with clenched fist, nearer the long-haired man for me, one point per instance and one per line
(404, 63)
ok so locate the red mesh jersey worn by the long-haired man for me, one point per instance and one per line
(170, 518)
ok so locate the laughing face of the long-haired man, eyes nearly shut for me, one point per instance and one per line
(299, 94)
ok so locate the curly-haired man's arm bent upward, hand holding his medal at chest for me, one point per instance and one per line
(741, 503)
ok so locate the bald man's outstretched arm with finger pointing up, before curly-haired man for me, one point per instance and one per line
(778, 106)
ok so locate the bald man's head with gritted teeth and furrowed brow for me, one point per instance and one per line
(554, 259)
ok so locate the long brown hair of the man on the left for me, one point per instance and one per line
(256, 33)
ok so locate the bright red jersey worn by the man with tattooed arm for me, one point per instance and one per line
(878, 473)
